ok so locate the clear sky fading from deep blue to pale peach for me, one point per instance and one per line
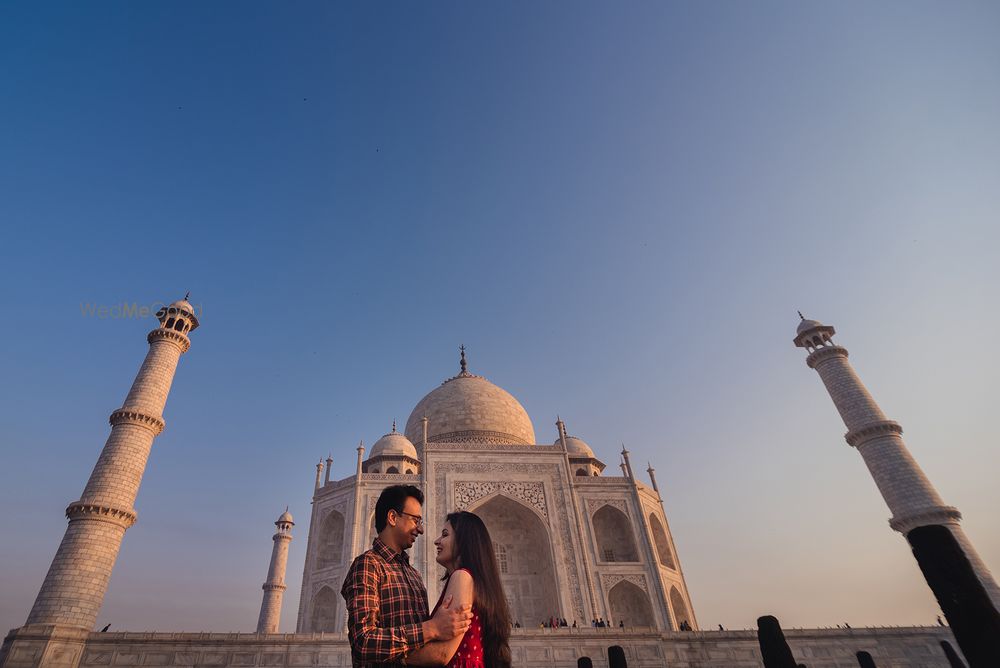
(617, 208)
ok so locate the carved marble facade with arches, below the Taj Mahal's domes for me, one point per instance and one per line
(541, 519)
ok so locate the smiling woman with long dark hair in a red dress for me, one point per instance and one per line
(466, 552)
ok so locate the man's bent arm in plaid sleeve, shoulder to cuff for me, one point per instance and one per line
(370, 642)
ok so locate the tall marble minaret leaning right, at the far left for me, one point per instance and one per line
(74, 587)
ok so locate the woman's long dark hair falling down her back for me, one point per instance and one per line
(475, 552)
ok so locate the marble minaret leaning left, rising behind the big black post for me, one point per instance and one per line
(910, 496)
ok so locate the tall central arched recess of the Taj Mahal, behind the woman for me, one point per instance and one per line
(524, 556)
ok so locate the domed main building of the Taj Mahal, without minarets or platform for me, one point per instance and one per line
(572, 542)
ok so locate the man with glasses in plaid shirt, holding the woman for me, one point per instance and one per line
(386, 599)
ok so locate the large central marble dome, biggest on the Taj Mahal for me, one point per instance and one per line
(470, 409)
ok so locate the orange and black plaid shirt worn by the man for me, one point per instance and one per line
(386, 607)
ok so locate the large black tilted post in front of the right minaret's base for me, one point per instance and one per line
(963, 599)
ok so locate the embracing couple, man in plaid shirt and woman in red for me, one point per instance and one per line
(388, 619)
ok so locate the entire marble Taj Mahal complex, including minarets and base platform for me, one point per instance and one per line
(575, 539)
